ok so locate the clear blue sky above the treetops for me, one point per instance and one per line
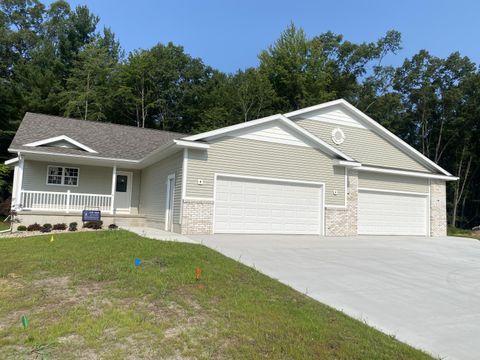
(229, 35)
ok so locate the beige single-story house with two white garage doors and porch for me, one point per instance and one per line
(327, 169)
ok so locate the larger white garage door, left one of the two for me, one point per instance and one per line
(253, 206)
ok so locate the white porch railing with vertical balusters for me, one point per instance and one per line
(64, 201)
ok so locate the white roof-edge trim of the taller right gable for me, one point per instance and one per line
(377, 128)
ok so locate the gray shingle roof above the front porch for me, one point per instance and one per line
(108, 140)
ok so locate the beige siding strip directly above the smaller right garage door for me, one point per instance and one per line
(379, 181)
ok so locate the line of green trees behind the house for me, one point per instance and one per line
(55, 60)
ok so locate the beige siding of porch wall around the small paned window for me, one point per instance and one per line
(91, 180)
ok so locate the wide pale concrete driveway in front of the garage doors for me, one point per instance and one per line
(425, 291)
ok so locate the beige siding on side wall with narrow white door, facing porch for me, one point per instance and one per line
(153, 189)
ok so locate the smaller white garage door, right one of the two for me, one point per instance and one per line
(384, 213)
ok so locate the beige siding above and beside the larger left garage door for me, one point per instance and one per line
(247, 157)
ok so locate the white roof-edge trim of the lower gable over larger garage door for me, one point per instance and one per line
(270, 119)
